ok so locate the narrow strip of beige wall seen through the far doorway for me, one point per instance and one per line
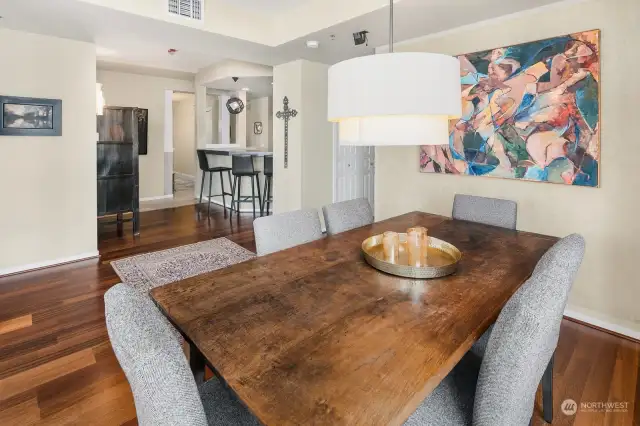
(184, 136)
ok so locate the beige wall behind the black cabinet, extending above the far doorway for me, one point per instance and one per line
(145, 91)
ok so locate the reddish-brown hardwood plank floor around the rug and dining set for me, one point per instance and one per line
(57, 367)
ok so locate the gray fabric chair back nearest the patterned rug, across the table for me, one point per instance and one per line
(286, 230)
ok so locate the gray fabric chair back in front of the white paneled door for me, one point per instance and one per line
(347, 215)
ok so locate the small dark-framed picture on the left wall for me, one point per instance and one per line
(30, 116)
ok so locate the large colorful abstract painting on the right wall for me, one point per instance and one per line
(529, 111)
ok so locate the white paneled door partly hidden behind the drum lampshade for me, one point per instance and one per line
(354, 171)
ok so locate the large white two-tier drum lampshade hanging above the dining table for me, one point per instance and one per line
(395, 98)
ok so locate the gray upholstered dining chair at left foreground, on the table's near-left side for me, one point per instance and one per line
(164, 389)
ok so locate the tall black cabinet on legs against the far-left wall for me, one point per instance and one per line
(118, 175)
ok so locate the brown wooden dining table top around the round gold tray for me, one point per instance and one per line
(313, 335)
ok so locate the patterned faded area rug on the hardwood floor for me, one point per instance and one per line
(147, 271)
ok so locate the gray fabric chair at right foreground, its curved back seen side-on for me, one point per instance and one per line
(499, 389)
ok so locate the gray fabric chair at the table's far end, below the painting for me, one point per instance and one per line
(489, 211)
